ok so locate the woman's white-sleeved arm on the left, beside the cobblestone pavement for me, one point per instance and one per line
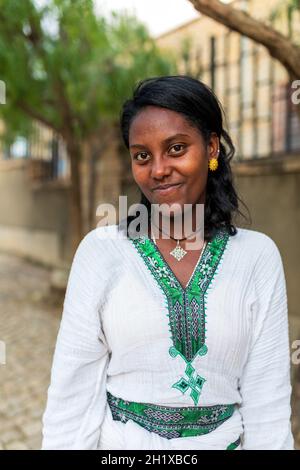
(77, 392)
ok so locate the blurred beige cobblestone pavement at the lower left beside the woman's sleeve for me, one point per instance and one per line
(28, 326)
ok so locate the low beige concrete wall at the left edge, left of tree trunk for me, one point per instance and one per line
(34, 217)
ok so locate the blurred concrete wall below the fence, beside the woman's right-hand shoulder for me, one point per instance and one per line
(270, 189)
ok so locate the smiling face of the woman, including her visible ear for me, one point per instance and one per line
(165, 149)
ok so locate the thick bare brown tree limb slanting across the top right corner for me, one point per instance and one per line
(279, 46)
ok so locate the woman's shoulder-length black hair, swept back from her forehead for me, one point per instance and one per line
(195, 101)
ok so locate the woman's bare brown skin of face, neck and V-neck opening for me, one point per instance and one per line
(181, 159)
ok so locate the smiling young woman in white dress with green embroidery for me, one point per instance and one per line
(162, 346)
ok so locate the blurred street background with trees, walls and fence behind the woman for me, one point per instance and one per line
(65, 69)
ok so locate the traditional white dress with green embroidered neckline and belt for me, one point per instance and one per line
(141, 363)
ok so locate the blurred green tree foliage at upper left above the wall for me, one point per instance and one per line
(68, 67)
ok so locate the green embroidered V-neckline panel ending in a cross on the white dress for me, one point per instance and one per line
(186, 307)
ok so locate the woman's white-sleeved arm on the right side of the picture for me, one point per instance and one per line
(265, 385)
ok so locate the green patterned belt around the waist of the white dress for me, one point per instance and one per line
(172, 422)
